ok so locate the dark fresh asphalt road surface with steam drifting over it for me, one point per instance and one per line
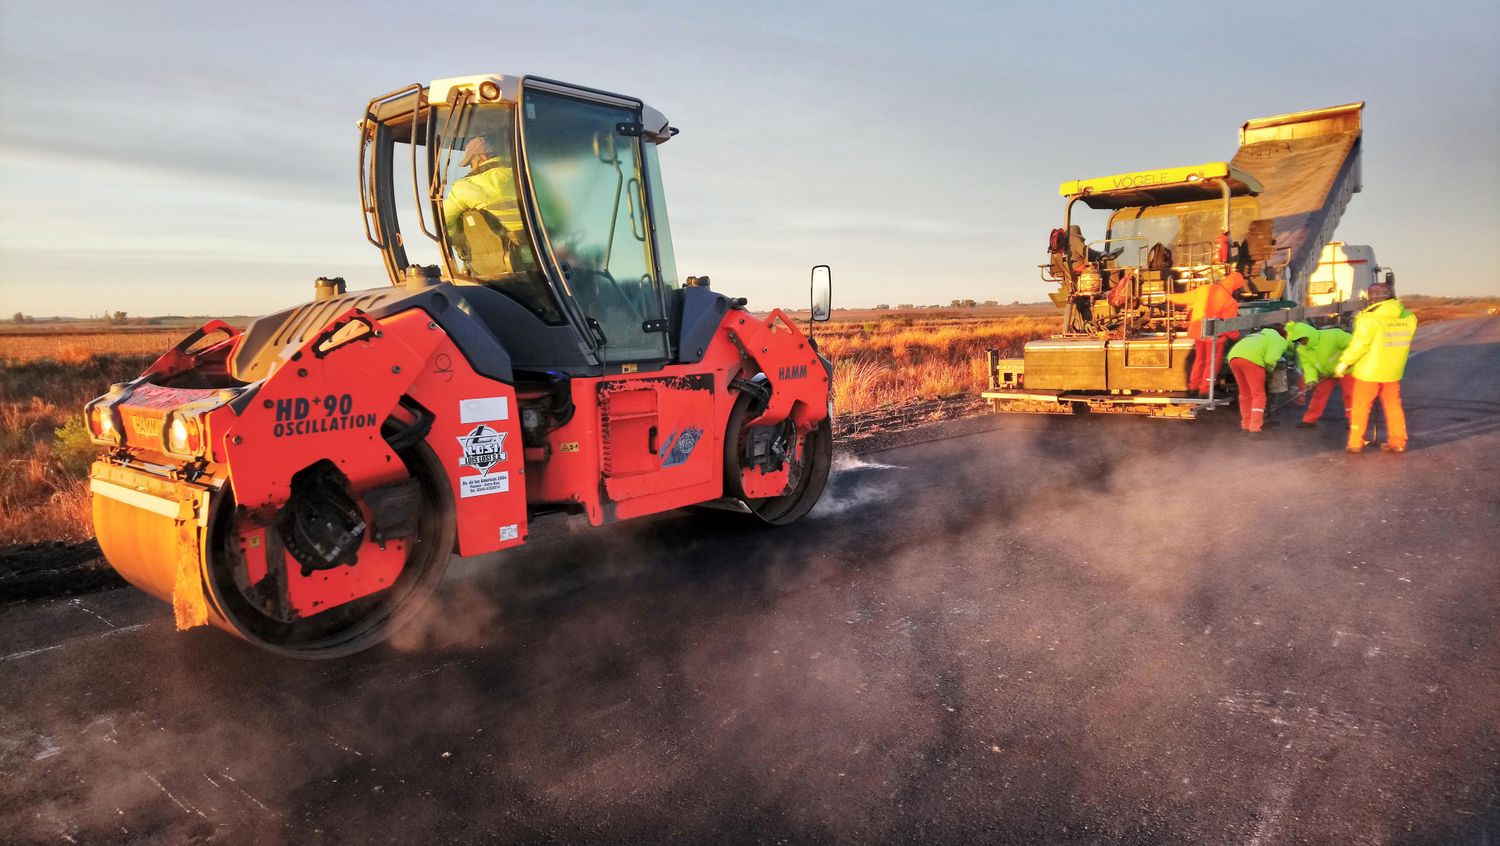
(1024, 629)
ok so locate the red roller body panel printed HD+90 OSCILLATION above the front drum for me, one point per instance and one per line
(475, 430)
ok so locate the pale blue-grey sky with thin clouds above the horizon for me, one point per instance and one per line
(200, 158)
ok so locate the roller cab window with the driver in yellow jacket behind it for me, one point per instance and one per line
(476, 194)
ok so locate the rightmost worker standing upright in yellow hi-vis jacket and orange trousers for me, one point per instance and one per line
(1376, 358)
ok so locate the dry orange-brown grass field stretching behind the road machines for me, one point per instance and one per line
(884, 359)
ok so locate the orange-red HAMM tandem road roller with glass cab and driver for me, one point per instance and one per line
(305, 482)
